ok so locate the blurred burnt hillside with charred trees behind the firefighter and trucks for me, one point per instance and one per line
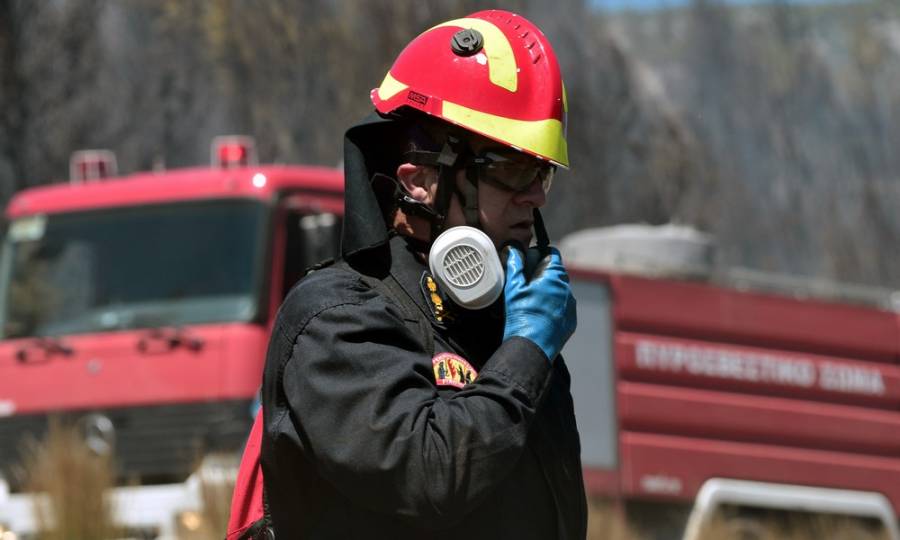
(772, 127)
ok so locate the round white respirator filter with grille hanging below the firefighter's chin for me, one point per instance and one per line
(465, 265)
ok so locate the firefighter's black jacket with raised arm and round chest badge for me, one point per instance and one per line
(360, 441)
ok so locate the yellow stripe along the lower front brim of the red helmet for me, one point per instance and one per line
(544, 138)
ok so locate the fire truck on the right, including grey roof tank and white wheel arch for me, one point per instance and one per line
(742, 392)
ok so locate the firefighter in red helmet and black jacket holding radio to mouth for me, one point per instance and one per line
(397, 404)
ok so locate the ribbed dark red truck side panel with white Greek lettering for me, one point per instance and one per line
(713, 382)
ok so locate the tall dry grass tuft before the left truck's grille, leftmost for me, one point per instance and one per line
(73, 480)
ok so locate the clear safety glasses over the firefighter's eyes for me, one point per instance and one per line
(513, 171)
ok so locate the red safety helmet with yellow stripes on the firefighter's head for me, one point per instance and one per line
(493, 73)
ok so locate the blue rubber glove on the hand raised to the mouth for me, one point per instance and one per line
(541, 310)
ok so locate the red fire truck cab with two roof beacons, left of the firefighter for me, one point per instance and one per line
(139, 307)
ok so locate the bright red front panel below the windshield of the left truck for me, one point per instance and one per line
(110, 369)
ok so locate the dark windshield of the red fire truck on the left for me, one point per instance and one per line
(148, 266)
